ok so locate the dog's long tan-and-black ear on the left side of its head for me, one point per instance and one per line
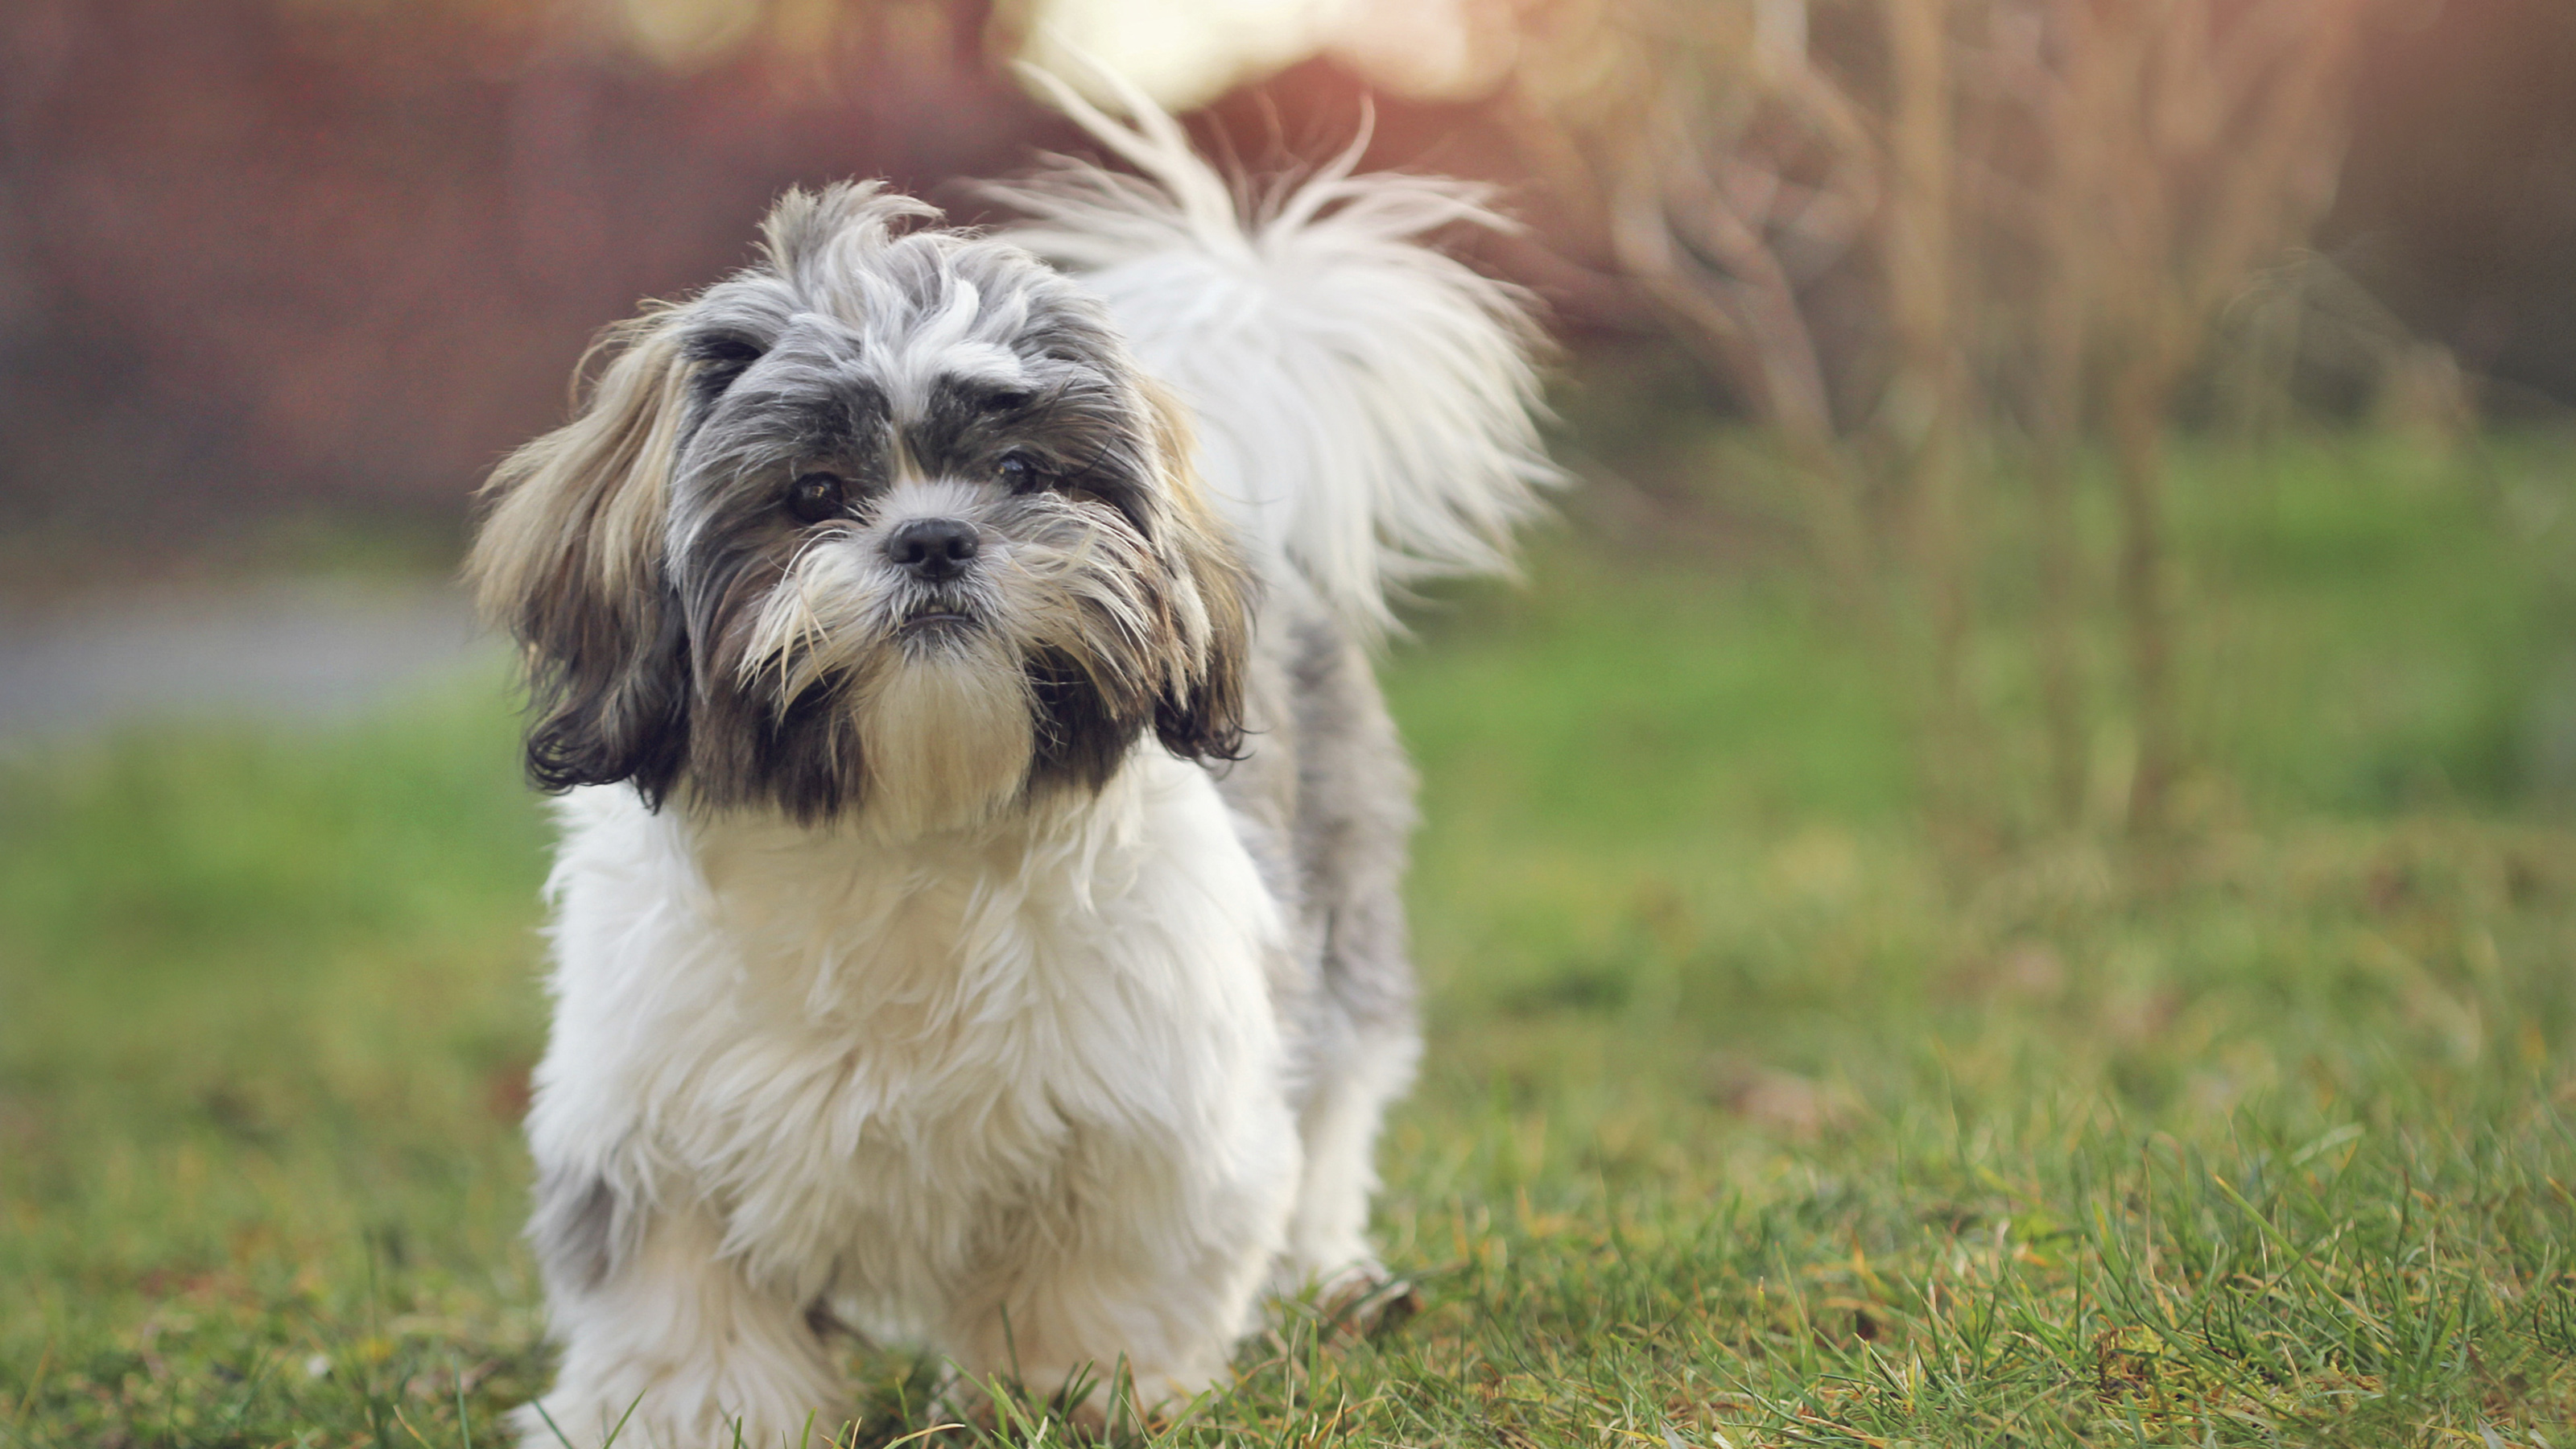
(571, 561)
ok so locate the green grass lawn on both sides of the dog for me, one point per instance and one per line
(1745, 1115)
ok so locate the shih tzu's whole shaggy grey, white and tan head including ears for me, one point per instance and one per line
(885, 525)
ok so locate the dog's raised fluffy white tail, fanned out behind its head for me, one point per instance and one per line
(1364, 401)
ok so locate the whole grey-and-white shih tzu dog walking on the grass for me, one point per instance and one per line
(978, 911)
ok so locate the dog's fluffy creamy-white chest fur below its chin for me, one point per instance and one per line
(903, 1071)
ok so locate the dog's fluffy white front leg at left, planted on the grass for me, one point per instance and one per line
(684, 1350)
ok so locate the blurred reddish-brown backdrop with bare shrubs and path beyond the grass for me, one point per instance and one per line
(279, 280)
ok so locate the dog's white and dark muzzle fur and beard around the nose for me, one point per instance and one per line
(952, 700)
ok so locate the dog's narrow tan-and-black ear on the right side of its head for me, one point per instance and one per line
(1202, 705)
